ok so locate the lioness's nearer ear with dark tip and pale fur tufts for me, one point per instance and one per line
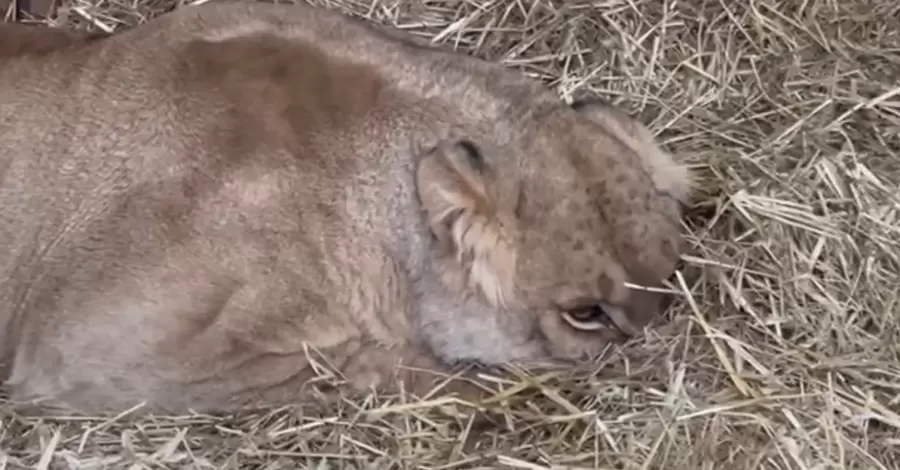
(452, 187)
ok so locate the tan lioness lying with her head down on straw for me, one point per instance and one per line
(192, 209)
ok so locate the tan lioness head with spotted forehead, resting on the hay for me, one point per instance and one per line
(554, 234)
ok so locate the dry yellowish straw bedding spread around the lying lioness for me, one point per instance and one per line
(784, 354)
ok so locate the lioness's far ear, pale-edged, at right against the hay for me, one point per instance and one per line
(668, 175)
